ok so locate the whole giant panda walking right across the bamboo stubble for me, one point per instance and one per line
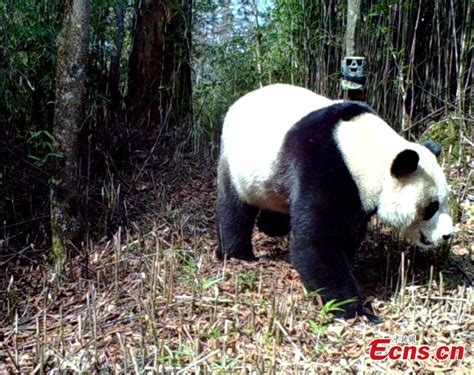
(320, 167)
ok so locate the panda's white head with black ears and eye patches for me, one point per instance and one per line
(414, 196)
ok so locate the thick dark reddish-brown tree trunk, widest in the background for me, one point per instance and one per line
(160, 70)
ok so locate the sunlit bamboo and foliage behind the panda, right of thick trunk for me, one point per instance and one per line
(419, 55)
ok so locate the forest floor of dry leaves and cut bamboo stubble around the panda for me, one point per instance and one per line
(153, 298)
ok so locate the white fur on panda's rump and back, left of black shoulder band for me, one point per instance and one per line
(253, 133)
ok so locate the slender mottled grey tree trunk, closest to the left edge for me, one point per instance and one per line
(66, 220)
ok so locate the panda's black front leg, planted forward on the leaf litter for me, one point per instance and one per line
(318, 252)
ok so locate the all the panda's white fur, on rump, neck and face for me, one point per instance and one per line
(253, 133)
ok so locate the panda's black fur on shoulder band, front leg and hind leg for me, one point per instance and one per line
(327, 219)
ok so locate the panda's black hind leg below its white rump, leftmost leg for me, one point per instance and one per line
(235, 221)
